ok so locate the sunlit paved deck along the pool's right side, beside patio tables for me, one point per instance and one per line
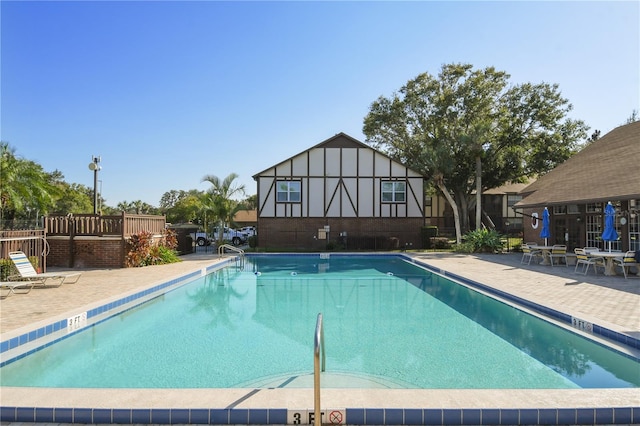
(607, 300)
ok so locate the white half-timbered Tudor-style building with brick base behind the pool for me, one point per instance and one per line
(340, 191)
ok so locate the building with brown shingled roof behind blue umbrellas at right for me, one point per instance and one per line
(576, 192)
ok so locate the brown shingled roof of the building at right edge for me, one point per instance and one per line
(605, 170)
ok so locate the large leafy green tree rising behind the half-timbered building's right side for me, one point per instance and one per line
(467, 131)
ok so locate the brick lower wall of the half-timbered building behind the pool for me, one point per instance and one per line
(362, 233)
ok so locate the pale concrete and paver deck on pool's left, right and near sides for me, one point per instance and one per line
(609, 301)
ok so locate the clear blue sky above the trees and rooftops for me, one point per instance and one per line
(167, 92)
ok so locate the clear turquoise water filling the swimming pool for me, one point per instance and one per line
(384, 318)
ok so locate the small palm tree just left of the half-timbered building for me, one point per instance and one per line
(219, 202)
